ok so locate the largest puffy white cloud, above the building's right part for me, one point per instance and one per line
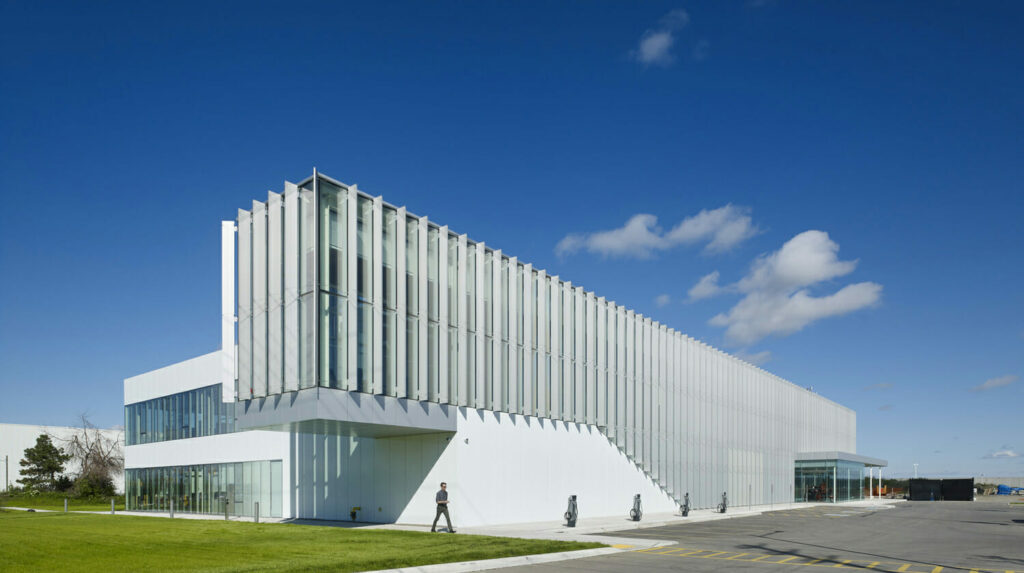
(778, 300)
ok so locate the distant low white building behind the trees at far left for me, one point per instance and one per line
(16, 438)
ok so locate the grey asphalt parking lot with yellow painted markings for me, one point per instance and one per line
(920, 537)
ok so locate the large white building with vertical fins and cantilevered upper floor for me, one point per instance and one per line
(373, 354)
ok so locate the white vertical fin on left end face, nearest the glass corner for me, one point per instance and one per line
(291, 289)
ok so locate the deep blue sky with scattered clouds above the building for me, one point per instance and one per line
(852, 172)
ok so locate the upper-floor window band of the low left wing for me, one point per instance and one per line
(188, 415)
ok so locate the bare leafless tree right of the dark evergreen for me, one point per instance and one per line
(99, 458)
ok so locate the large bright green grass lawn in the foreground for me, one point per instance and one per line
(31, 542)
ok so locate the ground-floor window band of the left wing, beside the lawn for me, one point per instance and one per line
(209, 489)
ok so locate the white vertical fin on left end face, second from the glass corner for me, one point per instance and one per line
(275, 295)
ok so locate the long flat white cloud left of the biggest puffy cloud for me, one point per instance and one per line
(721, 230)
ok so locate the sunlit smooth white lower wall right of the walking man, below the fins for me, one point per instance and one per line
(514, 469)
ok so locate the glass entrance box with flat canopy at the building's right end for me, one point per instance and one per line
(831, 476)
